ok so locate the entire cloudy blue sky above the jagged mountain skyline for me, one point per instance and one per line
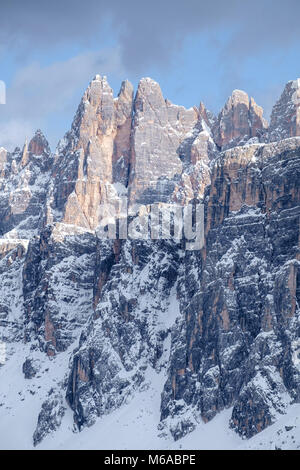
(197, 50)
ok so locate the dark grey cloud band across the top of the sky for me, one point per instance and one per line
(149, 32)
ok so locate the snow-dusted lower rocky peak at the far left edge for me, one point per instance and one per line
(24, 179)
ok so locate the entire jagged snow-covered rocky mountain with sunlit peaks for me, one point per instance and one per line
(93, 325)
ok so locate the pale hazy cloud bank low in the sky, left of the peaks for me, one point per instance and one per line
(38, 93)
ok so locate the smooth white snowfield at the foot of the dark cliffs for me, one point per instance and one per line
(133, 426)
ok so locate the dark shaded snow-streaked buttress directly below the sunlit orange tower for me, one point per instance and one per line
(58, 268)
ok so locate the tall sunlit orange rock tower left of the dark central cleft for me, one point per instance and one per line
(93, 156)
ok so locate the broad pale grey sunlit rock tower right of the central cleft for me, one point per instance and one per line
(158, 131)
